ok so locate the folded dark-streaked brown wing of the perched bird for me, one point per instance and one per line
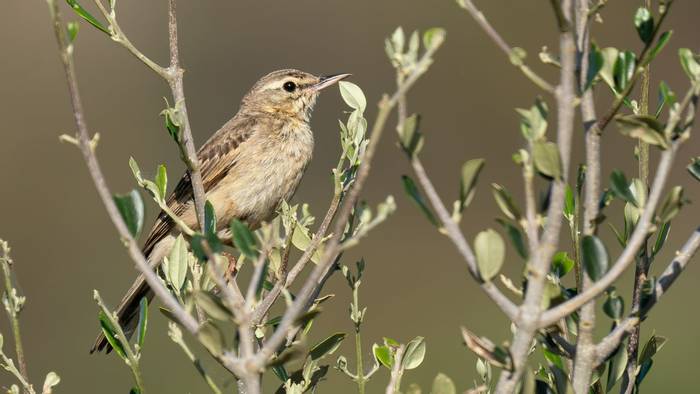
(216, 158)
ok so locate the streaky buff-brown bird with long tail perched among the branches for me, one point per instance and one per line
(249, 166)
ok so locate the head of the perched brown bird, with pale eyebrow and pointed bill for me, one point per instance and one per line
(288, 93)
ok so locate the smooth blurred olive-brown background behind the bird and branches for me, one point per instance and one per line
(415, 284)
